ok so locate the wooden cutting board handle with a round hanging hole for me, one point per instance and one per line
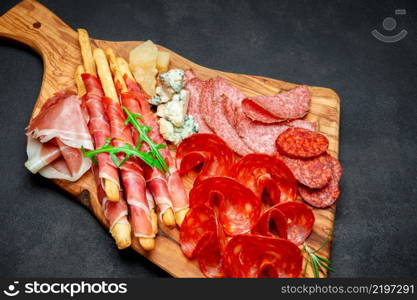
(33, 24)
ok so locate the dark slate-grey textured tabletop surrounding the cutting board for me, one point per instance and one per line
(325, 43)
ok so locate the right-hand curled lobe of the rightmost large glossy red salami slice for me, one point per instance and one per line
(300, 220)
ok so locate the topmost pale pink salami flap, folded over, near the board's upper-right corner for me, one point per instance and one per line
(293, 104)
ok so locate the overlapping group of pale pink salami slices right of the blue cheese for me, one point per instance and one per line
(246, 125)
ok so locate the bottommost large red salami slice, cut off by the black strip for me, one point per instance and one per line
(251, 256)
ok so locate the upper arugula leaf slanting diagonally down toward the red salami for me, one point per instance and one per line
(143, 137)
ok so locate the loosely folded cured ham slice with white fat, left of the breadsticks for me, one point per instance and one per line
(55, 137)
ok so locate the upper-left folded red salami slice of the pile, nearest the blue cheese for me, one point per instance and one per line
(204, 148)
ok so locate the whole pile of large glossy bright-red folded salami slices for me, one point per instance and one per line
(233, 229)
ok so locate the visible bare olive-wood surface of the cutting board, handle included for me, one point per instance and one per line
(33, 24)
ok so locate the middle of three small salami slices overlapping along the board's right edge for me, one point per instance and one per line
(314, 172)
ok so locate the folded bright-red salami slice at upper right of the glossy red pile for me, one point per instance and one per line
(266, 174)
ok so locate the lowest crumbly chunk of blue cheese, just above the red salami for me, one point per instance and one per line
(177, 134)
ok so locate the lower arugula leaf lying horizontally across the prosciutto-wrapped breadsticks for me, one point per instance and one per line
(127, 149)
